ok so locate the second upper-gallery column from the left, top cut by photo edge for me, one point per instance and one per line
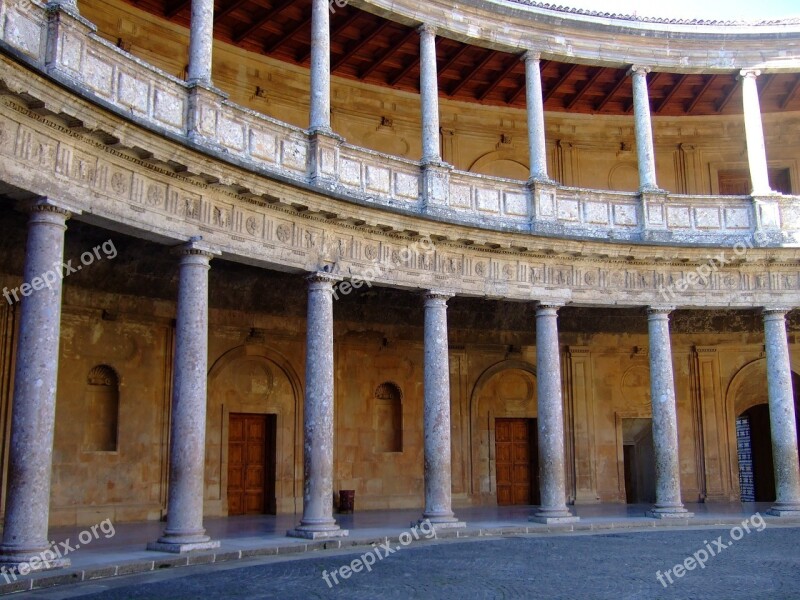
(320, 116)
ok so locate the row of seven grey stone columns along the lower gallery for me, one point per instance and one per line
(34, 400)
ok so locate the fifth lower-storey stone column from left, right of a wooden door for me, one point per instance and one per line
(550, 420)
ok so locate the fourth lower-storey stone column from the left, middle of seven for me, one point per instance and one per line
(438, 483)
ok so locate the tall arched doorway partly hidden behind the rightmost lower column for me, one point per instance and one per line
(753, 432)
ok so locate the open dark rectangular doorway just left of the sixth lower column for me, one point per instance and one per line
(639, 461)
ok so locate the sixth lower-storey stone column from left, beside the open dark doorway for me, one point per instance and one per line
(665, 422)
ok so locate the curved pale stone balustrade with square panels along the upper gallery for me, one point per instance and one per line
(95, 69)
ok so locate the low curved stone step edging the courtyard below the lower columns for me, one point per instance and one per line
(159, 562)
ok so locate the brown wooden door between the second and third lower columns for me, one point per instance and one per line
(251, 464)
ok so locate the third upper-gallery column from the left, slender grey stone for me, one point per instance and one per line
(429, 95)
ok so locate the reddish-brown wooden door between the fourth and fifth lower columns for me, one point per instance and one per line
(516, 461)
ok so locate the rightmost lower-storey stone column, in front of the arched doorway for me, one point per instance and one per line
(782, 415)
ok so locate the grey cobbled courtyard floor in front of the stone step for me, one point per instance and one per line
(762, 564)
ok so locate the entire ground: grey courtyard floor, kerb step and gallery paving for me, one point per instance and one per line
(501, 555)
